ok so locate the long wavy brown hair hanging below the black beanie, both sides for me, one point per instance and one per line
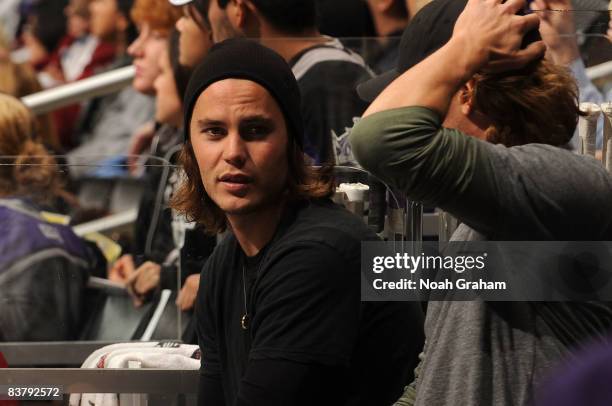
(304, 182)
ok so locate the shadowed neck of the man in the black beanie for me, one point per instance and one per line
(255, 230)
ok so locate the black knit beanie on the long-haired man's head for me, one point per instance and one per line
(240, 58)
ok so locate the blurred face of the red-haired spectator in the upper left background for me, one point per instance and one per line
(146, 51)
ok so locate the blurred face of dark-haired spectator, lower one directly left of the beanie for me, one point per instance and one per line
(168, 101)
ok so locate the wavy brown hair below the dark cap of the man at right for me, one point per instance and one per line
(537, 104)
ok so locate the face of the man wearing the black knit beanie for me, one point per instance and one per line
(239, 138)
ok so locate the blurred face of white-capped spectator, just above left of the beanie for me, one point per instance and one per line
(195, 39)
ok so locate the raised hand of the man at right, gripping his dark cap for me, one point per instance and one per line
(490, 33)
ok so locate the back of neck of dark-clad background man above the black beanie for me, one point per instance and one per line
(289, 45)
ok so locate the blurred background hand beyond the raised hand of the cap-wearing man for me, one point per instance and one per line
(557, 29)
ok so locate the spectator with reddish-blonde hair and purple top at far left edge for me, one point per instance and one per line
(43, 265)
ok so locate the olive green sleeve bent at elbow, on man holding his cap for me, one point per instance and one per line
(408, 149)
